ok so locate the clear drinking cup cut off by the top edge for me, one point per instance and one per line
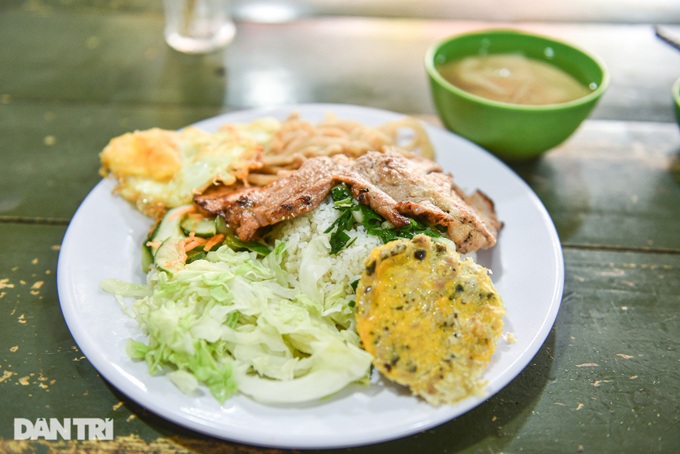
(198, 26)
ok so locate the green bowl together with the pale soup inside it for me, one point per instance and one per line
(514, 93)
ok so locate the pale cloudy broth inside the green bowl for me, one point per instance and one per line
(513, 78)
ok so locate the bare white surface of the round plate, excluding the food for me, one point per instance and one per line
(104, 238)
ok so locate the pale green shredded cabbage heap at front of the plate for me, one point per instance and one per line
(236, 322)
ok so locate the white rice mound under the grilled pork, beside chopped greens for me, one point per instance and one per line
(308, 248)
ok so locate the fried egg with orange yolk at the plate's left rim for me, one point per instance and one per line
(159, 169)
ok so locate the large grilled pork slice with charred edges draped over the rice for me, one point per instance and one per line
(393, 185)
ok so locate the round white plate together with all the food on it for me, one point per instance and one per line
(308, 276)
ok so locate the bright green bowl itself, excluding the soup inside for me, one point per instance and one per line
(513, 131)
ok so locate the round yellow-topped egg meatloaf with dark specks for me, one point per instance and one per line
(429, 318)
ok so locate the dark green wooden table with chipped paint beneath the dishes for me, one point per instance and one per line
(74, 74)
